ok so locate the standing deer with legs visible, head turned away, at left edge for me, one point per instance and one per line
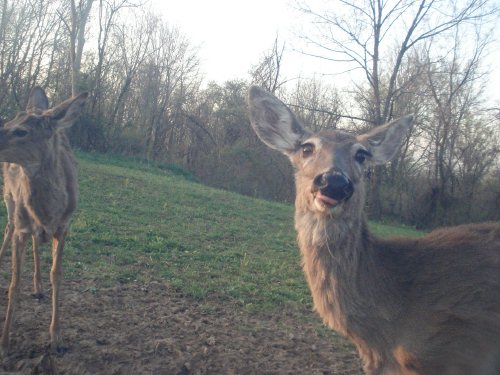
(40, 193)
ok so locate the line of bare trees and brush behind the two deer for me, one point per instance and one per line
(150, 100)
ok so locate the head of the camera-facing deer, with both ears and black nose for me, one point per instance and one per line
(329, 165)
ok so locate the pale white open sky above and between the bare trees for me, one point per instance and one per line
(232, 35)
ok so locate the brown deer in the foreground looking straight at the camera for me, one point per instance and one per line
(411, 306)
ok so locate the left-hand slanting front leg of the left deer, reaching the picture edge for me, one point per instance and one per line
(18, 249)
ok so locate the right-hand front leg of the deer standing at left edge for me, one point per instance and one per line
(55, 280)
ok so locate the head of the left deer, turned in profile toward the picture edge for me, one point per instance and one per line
(27, 137)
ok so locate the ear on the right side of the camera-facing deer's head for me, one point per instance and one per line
(384, 141)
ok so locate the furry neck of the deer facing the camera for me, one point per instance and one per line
(342, 271)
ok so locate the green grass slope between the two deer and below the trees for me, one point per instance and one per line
(139, 221)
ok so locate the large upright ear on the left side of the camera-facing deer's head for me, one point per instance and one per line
(273, 122)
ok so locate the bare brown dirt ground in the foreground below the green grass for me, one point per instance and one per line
(152, 329)
